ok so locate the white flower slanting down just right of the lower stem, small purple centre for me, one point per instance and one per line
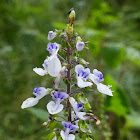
(77, 107)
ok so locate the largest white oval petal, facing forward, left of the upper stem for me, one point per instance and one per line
(54, 67)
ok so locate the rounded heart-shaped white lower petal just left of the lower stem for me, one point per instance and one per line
(50, 107)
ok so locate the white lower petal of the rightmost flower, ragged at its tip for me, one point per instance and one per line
(104, 89)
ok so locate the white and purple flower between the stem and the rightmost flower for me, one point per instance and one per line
(82, 76)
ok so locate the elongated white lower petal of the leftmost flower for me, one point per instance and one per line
(29, 102)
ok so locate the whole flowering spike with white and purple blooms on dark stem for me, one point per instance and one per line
(72, 102)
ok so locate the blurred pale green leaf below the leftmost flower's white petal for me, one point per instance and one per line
(39, 113)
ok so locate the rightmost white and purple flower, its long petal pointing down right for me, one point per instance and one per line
(96, 78)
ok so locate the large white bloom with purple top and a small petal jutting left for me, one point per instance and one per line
(52, 64)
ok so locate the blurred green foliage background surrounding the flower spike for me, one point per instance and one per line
(112, 28)
